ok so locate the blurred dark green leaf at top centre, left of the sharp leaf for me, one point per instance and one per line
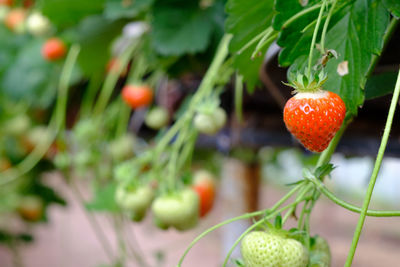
(181, 27)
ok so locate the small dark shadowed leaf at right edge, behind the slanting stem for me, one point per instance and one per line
(380, 85)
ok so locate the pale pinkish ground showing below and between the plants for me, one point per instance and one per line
(68, 240)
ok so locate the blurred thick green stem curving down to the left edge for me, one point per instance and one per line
(55, 126)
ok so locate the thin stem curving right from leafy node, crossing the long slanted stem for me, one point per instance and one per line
(373, 213)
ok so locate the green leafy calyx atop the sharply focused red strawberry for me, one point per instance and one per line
(307, 83)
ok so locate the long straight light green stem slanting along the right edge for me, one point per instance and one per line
(375, 172)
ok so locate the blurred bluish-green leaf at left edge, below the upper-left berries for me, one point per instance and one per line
(31, 78)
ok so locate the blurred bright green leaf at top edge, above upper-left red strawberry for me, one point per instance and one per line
(65, 13)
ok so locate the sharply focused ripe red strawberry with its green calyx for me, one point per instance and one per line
(314, 116)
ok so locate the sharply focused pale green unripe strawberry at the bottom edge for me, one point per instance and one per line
(265, 249)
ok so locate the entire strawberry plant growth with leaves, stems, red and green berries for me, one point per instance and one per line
(167, 64)
